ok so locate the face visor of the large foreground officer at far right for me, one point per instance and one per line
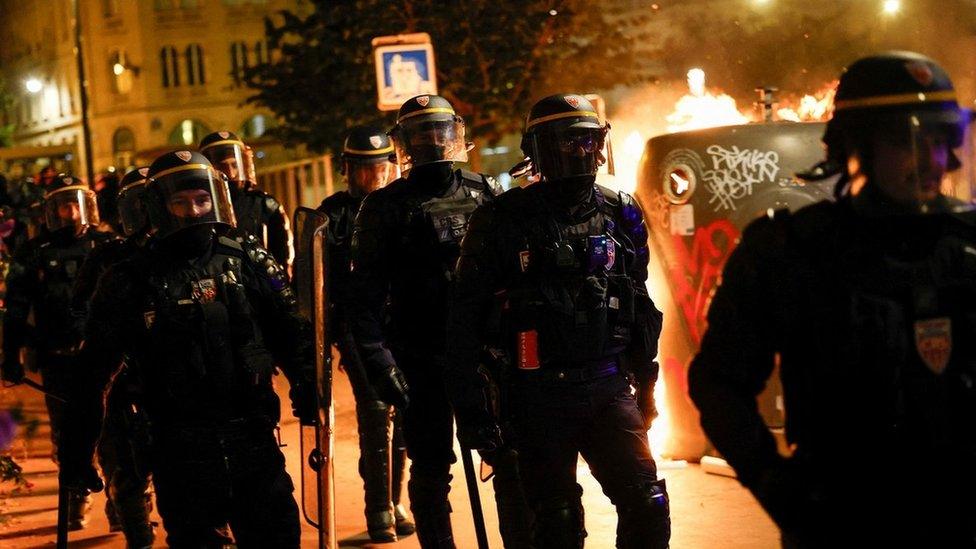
(921, 161)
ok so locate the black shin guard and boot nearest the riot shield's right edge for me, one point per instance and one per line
(374, 468)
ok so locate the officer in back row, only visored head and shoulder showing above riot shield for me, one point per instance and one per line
(257, 212)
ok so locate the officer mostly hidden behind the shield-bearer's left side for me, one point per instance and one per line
(124, 442)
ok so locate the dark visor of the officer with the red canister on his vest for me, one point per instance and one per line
(569, 152)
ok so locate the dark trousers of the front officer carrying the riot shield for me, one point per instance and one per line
(208, 477)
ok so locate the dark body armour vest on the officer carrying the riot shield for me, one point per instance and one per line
(206, 351)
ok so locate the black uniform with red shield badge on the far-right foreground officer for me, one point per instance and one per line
(848, 304)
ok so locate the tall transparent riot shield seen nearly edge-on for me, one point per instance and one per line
(317, 440)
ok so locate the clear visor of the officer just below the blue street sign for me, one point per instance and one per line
(426, 142)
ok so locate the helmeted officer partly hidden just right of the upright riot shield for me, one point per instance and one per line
(367, 167)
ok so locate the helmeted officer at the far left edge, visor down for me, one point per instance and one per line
(41, 278)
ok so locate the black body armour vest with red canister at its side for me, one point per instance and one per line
(570, 299)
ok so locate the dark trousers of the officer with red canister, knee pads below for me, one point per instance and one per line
(556, 421)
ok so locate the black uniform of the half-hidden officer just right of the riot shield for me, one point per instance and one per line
(383, 479)
